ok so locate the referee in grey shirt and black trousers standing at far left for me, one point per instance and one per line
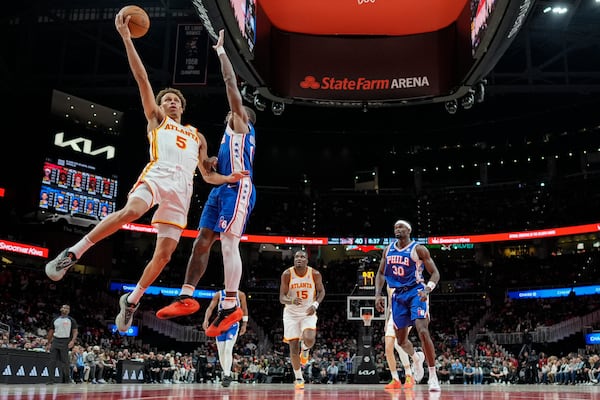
(61, 337)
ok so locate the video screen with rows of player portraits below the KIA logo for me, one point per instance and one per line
(71, 187)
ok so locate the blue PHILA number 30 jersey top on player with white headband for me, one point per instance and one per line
(402, 266)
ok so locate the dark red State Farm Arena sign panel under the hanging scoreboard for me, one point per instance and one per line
(347, 68)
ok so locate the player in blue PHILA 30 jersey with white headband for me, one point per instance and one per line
(401, 267)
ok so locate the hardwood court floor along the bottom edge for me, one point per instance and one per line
(286, 391)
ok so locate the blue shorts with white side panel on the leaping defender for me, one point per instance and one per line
(228, 207)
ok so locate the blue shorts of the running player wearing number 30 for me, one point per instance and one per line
(407, 305)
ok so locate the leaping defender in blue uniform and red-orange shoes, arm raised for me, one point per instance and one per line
(226, 211)
